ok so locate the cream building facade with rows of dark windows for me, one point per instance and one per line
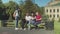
(53, 10)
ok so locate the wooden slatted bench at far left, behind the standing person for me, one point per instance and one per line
(6, 23)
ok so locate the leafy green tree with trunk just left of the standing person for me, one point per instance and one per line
(11, 6)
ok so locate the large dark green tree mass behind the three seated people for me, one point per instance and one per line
(30, 6)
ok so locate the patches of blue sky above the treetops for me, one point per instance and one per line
(40, 3)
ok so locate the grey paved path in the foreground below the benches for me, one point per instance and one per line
(12, 31)
